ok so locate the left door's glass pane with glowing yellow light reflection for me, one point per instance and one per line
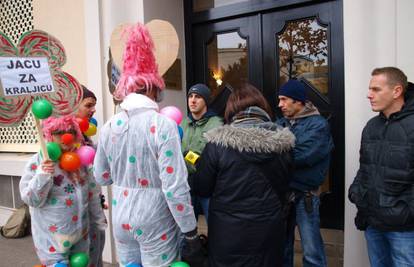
(227, 61)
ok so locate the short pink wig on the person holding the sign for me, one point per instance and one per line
(60, 124)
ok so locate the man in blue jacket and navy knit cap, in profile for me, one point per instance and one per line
(311, 160)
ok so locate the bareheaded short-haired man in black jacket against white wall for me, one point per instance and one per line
(383, 187)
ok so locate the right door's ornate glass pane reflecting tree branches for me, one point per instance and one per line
(303, 53)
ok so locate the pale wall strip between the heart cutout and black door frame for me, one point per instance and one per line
(172, 11)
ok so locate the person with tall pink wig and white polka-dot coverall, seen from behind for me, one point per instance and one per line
(139, 153)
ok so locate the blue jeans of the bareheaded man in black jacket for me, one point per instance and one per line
(390, 249)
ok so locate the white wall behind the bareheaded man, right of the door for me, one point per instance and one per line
(376, 34)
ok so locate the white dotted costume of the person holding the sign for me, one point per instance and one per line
(60, 208)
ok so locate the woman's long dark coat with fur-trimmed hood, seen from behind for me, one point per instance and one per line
(246, 173)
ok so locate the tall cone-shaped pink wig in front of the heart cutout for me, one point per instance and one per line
(139, 70)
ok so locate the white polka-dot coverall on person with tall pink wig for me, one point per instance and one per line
(139, 154)
